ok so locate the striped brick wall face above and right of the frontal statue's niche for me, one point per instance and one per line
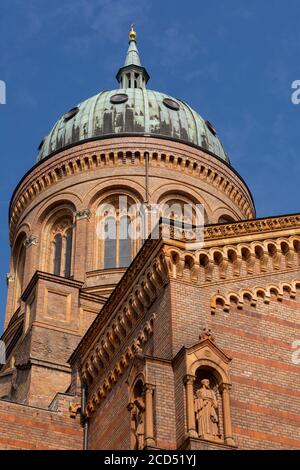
(265, 383)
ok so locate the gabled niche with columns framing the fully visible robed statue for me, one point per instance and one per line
(207, 391)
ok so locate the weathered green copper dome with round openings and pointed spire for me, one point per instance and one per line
(132, 110)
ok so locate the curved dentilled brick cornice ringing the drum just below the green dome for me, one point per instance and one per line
(181, 158)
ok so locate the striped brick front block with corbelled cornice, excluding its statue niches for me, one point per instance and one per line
(256, 333)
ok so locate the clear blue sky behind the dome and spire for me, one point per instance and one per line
(233, 61)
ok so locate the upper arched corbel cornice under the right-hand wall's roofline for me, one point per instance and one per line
(212, 263)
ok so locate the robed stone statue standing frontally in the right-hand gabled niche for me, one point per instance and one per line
(206, 409)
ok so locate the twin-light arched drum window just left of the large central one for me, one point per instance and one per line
(61, 253)
